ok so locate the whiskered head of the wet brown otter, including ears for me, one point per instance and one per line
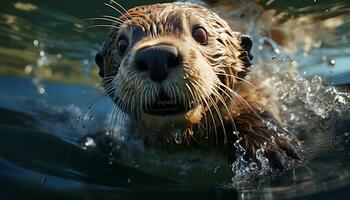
(168, 65)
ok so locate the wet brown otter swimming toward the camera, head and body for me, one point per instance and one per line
(179, 73)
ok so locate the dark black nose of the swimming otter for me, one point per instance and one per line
(157, 60)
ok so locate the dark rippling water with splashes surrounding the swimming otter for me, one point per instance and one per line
(48, 81)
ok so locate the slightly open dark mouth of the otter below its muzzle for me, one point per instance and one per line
(165, 106)
